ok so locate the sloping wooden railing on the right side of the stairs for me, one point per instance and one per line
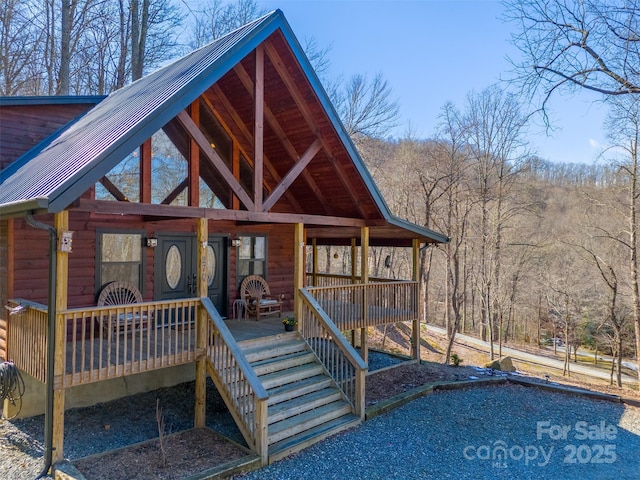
(333, 350)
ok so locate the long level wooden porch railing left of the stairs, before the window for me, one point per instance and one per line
(110, 342)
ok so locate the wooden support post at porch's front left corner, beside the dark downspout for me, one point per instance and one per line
(61, 224)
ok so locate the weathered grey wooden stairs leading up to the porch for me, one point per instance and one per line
(305, 405)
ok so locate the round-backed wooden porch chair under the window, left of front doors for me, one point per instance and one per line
(121, 293)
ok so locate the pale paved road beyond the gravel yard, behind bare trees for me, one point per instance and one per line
(534, 359)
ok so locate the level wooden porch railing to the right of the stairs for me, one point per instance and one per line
(366, 305)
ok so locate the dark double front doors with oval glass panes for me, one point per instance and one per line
(176, 270)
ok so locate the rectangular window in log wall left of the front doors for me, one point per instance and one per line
(119, 258)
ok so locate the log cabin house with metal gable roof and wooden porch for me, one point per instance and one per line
(228, 162)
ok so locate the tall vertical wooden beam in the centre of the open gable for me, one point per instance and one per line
(258, 130)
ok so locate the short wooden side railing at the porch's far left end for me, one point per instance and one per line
(27, 338)
